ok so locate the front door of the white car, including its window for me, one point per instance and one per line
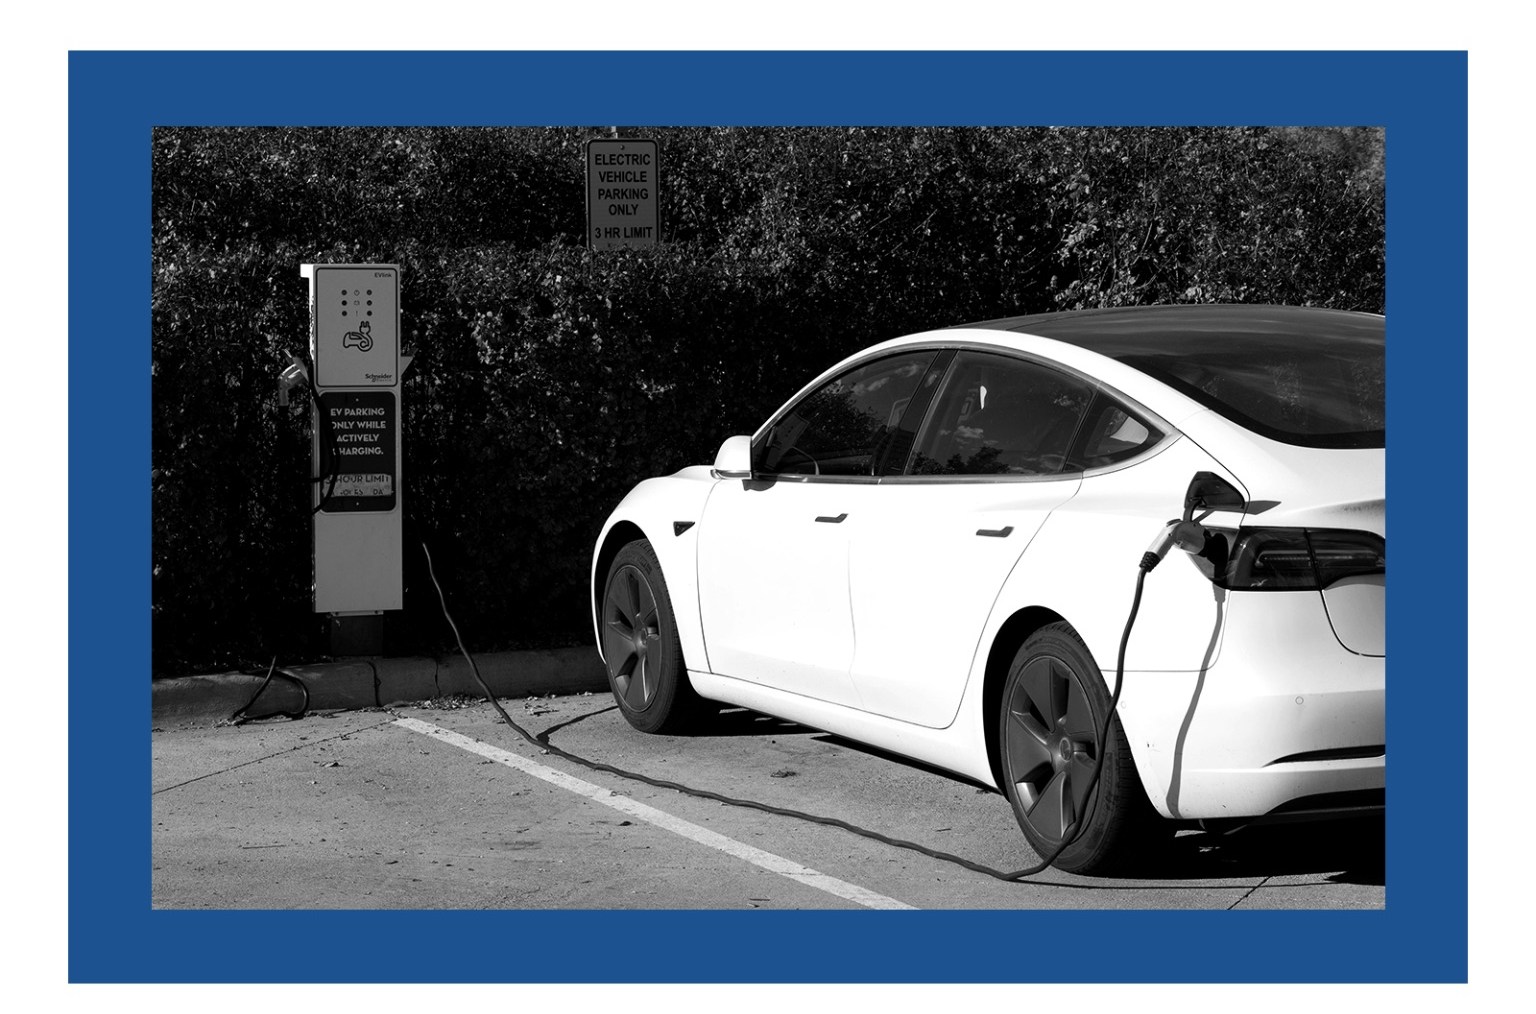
(773, 549)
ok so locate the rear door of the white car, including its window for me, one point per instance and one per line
(988, 468)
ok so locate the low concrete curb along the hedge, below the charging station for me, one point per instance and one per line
(374, 683)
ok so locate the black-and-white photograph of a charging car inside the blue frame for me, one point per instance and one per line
(646, 517)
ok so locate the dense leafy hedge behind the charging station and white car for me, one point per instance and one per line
(549, 380)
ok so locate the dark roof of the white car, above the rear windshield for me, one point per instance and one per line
(1119, 333)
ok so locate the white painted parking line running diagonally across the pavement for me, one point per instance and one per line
(652, 815)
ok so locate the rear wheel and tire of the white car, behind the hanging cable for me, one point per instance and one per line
(1054, 704)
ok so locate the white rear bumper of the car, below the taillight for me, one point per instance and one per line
(1286, 723)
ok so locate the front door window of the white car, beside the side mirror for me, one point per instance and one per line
(850, 425)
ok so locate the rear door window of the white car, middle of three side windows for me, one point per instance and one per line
(998, 416)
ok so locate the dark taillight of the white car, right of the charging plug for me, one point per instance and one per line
(1299, 558)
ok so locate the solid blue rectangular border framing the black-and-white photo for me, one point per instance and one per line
(116, 99)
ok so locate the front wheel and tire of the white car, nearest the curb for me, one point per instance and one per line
(641, 646)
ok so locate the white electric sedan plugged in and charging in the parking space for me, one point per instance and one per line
(935, 546)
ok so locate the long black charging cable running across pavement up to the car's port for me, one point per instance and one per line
(801, 815)
